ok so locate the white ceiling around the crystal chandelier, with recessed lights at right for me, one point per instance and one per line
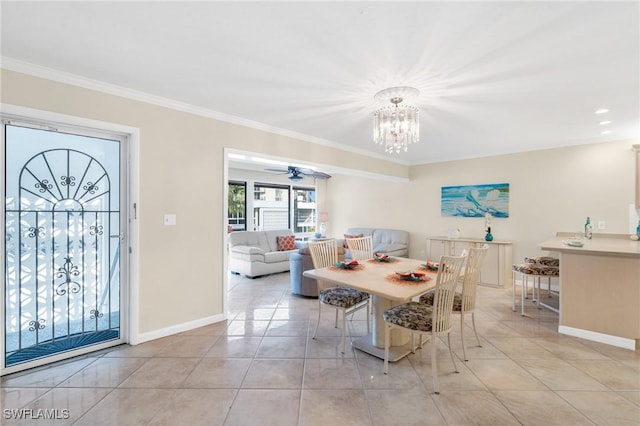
(494, 77)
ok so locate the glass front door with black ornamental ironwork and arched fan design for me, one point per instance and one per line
(63, 231)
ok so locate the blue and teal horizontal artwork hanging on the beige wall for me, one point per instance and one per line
(475, 200)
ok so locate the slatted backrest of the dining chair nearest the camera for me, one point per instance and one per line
(446, 281)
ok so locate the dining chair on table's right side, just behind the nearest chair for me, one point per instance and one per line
(465, 302)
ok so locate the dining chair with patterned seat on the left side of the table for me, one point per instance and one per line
(346, 300)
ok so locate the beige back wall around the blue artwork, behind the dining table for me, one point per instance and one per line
(550, 190)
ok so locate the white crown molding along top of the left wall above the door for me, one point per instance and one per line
(112, 89)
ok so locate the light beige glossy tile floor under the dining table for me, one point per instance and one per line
(261, 367)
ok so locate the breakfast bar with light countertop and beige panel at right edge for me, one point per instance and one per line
(600, 289)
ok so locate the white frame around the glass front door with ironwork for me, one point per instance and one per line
(130, 329)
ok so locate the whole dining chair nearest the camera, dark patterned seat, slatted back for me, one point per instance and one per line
(428, 321)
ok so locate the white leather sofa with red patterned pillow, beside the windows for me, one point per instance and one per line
(255, 253)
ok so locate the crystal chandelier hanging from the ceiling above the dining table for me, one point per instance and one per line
(396, 126)
